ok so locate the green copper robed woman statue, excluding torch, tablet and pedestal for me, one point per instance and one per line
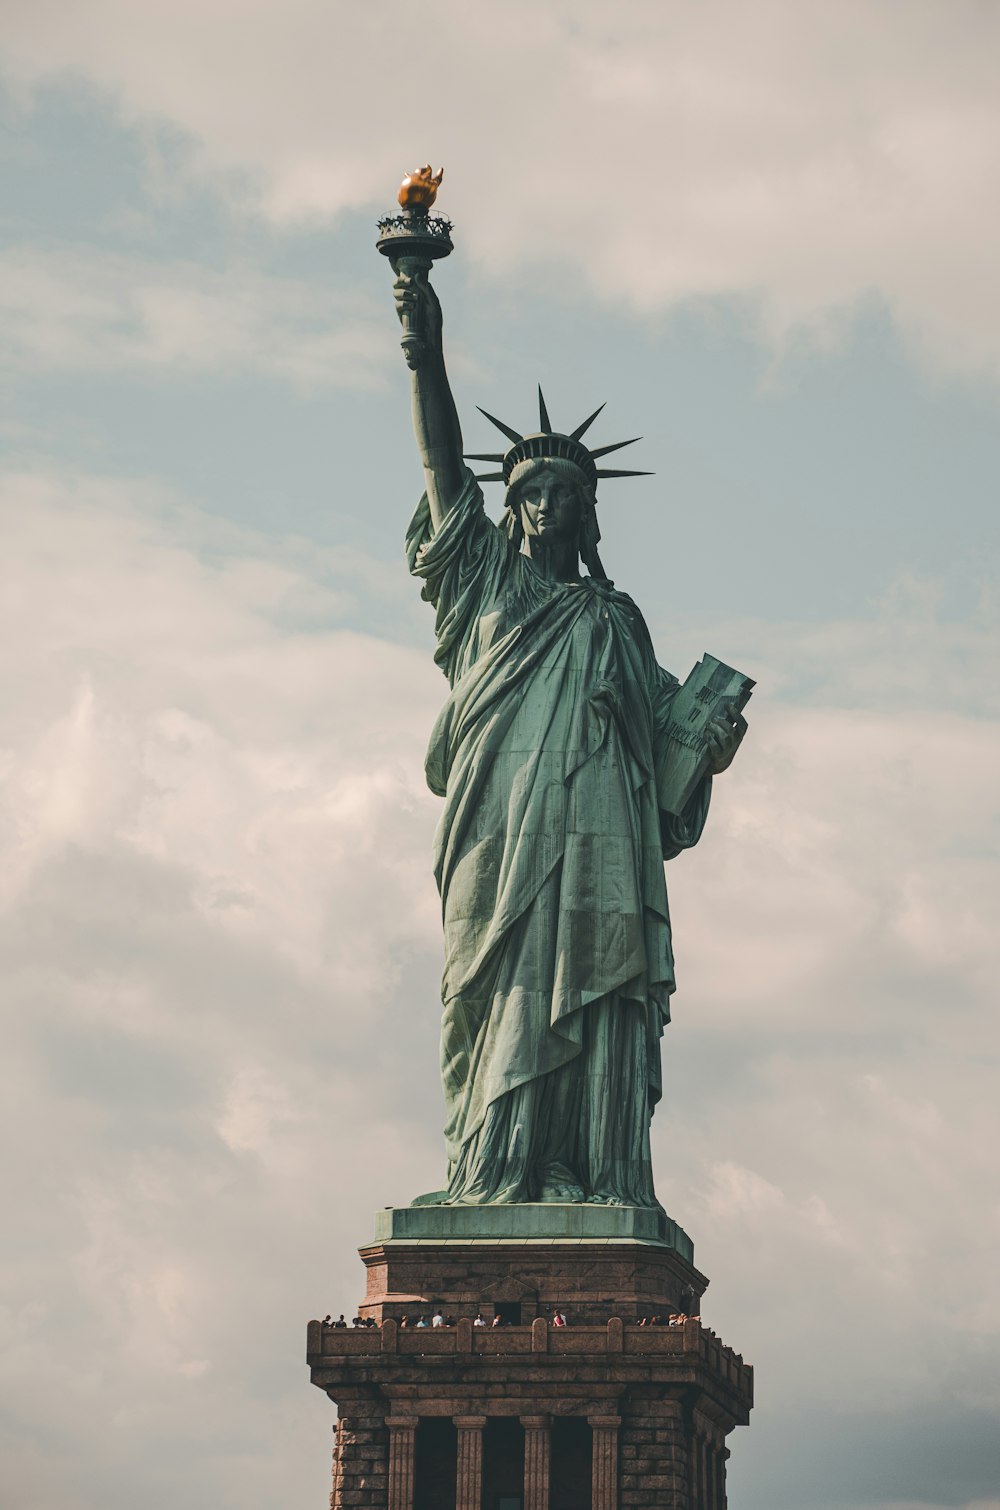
(551, 849)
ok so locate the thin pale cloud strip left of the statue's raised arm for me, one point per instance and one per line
(84, 312)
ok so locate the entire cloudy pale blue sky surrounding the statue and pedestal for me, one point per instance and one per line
(768, 236)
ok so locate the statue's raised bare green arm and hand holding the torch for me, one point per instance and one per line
(434, 413)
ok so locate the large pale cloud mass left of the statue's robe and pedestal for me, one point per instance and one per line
(209, 901)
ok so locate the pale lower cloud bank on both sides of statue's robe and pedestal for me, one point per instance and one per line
(223, 954)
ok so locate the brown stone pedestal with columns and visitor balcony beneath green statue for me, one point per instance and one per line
(602, 1414)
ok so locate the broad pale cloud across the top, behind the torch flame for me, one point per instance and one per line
(798, 158)
